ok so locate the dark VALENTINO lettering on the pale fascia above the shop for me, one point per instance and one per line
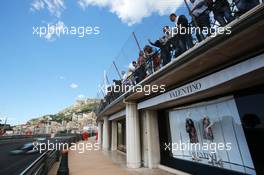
(186, 90)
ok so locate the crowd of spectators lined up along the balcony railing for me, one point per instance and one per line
(160, 52)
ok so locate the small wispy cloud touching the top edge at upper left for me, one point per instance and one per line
(55, 7)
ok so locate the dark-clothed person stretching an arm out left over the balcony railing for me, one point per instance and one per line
(164, 45)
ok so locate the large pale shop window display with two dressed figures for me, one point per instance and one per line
(210, 133)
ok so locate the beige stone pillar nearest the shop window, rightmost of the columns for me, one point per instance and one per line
(152, 139)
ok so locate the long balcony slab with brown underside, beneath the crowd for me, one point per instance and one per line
(206, 57)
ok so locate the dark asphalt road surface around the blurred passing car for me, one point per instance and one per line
(14, 164)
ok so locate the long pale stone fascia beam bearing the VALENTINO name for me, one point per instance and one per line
(206, 82)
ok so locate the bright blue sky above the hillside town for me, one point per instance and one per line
(38, 76)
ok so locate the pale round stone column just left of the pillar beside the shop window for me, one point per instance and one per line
(132, 136)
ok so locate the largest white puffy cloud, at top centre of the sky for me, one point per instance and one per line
(133, 11)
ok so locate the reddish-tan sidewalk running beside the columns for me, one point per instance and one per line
(102, 163)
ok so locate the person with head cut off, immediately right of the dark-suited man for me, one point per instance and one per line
(200, 13)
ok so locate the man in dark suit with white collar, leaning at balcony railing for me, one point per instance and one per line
(182, 23)
